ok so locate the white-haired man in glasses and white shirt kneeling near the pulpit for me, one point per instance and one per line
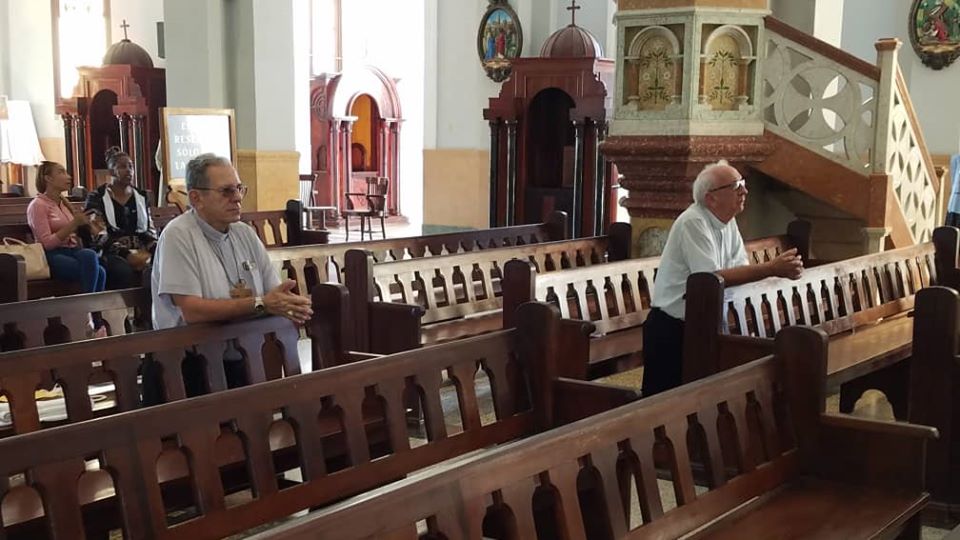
(704, 238)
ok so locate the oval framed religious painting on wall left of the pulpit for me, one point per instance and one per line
(499, 39)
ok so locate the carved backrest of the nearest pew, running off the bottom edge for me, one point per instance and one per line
(584, 478)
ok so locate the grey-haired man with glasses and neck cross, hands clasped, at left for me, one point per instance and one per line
(209, 266)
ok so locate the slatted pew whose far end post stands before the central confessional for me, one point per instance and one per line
(311, 265)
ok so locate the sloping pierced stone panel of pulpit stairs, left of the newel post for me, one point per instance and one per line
(818, 103)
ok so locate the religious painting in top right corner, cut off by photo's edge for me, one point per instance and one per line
(935, 31)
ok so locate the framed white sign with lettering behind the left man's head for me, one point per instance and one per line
(186, 133)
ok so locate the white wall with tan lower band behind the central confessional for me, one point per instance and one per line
(458, 90)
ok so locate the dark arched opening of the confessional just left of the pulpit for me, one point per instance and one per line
(548, 184)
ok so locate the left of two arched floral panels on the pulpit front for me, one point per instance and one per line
(654, 69)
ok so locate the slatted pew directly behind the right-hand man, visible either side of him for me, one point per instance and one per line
(618, 314)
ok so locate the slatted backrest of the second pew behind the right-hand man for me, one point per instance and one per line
(453, 286)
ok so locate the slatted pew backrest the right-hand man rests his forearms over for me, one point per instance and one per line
(836, 297)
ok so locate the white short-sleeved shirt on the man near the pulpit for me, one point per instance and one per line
(698, 242)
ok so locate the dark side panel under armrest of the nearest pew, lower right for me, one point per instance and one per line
(889, 455)
